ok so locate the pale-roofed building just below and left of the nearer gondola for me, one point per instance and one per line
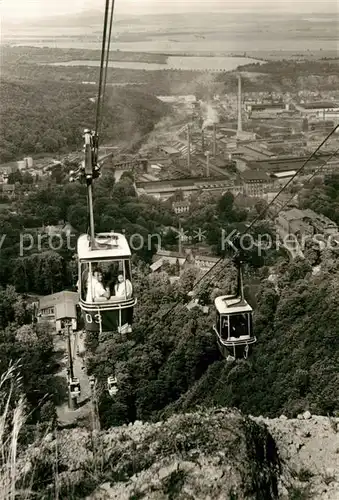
(55, 308)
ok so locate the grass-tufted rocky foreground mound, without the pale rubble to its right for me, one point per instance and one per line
(212, 454)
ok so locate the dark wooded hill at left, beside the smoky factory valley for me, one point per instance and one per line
(50, 116)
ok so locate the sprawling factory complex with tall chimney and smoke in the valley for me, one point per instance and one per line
(248, 143)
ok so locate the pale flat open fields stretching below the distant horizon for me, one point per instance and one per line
(263, 35)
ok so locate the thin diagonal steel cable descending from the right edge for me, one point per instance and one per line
(258, 217)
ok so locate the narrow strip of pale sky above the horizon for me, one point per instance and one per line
(19, 9)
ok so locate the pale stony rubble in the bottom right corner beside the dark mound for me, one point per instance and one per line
(309, 453)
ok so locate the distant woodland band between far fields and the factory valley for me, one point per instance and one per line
(281, 76)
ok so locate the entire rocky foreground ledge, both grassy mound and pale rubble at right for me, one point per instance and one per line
(212, 454)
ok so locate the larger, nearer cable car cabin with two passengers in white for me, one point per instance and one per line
(105, 283)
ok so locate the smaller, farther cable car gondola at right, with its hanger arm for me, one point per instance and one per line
(234, 322)
